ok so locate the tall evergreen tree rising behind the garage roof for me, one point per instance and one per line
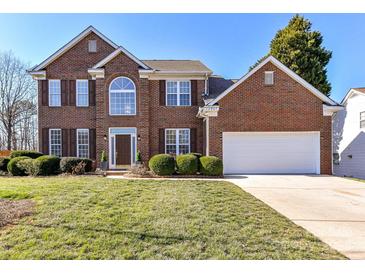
(300, 49)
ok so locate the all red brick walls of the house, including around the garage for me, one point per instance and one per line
(252, 106)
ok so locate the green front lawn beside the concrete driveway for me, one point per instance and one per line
(97, 218)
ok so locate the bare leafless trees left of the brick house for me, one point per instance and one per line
(17, 104)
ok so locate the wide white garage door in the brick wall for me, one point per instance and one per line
(271, 152)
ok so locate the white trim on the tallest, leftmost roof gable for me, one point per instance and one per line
(70, 44)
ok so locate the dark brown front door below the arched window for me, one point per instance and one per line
(123, 151)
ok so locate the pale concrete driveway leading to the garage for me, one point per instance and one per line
(331, 208)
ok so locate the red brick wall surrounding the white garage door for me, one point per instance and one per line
(285, 106)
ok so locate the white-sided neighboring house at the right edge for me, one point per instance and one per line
(349, 136)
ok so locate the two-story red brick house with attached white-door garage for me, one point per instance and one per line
(95, 95)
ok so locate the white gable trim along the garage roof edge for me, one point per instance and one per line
(282, 67)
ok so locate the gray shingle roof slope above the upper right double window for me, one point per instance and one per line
(177, 65)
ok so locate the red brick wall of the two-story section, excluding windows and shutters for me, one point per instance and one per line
(149, 118)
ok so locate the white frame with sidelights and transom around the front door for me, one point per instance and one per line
(113, 131)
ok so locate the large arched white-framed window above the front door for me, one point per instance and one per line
(122, 97)
